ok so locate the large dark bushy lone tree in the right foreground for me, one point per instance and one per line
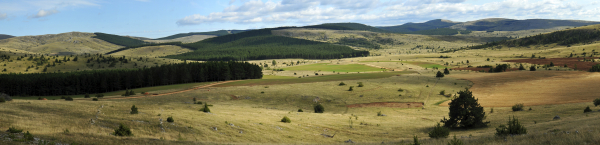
(465, 112)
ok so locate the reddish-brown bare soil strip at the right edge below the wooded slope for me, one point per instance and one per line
(570, 62)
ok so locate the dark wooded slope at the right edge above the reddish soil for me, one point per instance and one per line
(565, 37)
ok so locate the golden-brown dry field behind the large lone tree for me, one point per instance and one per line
(532, 87)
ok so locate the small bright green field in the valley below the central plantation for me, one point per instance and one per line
(336, 68)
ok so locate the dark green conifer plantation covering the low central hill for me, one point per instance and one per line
(268, 47)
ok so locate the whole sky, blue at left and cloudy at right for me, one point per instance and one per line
(160, 18)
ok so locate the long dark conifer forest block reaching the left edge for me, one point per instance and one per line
(100, 81)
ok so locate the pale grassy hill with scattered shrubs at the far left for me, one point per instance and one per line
(64, 43)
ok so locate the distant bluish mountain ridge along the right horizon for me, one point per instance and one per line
(491, 24)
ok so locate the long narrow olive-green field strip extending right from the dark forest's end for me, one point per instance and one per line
(272, 80)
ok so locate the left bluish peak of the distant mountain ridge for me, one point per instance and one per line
(412, 27)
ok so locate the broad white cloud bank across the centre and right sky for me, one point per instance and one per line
(375, 12)
